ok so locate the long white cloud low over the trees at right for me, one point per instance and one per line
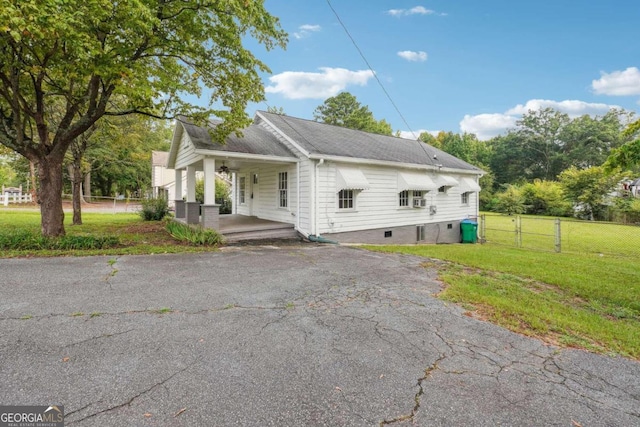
(486, 126)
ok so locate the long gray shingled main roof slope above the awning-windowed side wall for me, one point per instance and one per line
(323, 139)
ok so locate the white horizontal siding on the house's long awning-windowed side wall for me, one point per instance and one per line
(378, 206)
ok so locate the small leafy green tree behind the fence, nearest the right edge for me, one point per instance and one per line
(588, 189)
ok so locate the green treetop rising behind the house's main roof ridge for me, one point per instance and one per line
(345, 110)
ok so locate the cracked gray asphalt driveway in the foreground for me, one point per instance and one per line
(282, 336)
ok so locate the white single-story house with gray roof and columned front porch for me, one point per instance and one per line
(329, 182)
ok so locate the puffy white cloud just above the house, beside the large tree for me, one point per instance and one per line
(308, 85)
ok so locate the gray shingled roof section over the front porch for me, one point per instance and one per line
(255, 139)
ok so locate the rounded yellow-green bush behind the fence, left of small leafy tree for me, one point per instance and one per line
(545, 198)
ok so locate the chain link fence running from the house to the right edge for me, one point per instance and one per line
(560, 234)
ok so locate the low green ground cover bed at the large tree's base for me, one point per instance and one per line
(21, 239)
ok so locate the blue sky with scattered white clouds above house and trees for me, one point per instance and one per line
(466, 65)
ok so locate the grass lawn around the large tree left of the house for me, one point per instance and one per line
(135, 235)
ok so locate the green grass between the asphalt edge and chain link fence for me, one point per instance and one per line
(578, 300)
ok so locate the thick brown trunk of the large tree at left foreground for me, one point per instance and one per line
(50, 197)
